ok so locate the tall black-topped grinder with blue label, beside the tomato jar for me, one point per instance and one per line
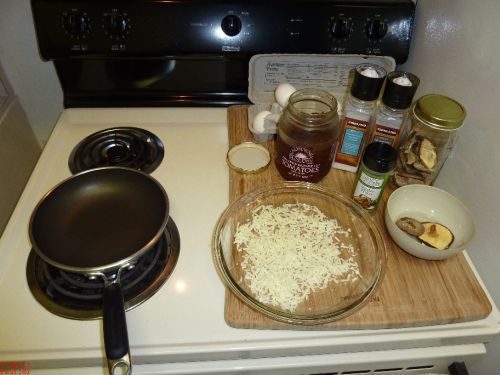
(358, 111)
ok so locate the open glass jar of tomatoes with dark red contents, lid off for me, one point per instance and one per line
(307, 136)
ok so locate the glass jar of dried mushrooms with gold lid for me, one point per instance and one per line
(429, 135)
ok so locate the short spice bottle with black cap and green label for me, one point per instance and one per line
(374, 172)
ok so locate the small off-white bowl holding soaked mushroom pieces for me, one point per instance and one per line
(428, 203)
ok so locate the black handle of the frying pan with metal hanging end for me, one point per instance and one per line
(115, 330)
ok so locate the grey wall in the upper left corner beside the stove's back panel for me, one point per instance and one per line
(33, 81)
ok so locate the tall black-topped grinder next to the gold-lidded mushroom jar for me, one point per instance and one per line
(400, 87)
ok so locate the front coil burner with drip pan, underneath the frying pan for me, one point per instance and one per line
(76, 296)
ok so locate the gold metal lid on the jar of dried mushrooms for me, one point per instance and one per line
(440, 111)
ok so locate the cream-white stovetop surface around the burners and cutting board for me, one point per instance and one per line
(184, 320)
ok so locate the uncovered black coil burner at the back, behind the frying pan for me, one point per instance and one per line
(122, 147)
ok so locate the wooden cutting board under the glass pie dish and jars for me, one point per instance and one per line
(414, 292)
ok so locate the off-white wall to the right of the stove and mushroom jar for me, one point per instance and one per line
(456, 52)
